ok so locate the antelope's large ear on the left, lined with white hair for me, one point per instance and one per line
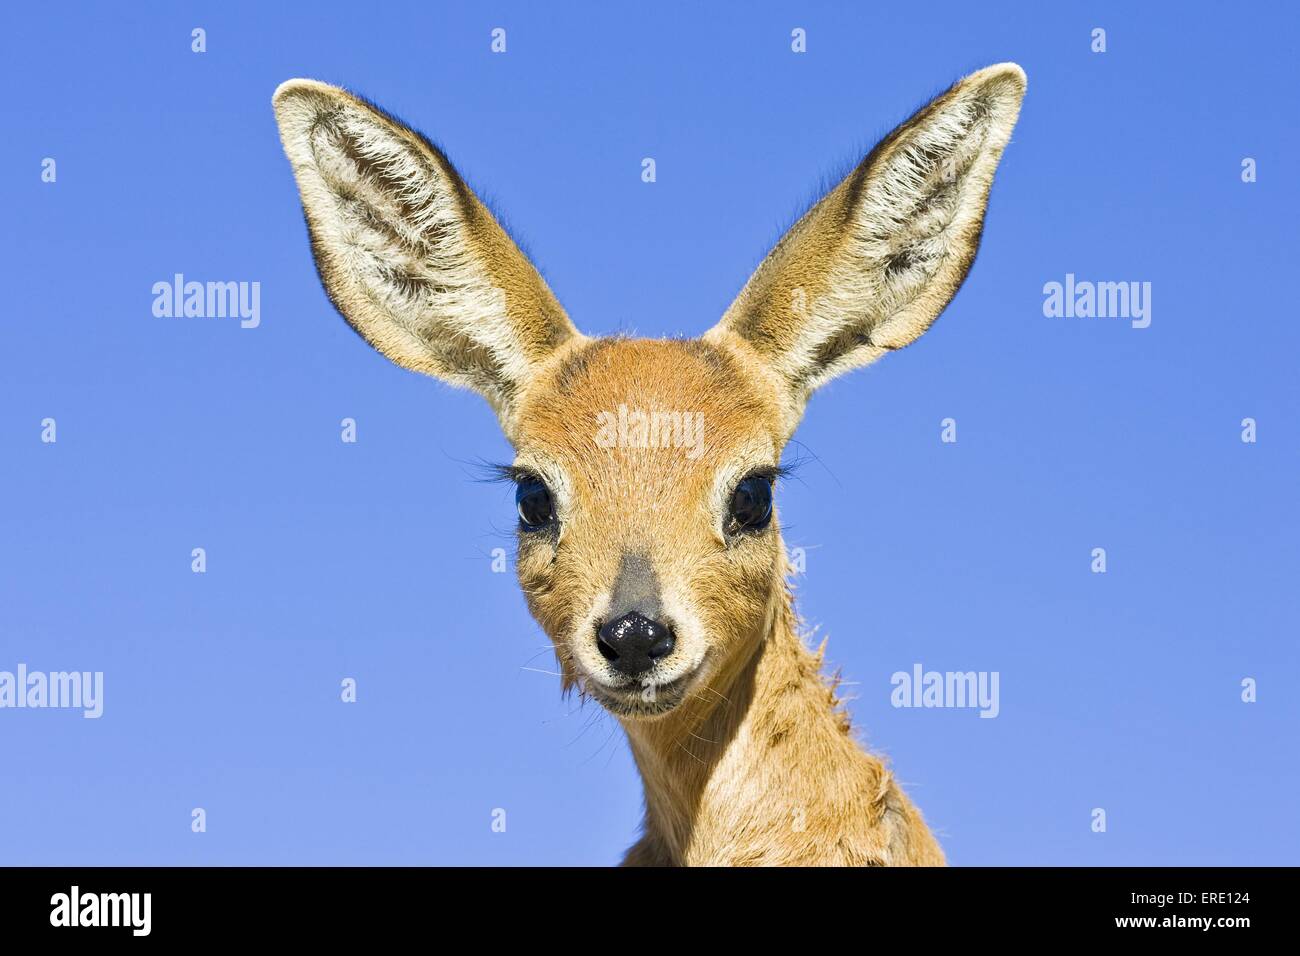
(409, 256)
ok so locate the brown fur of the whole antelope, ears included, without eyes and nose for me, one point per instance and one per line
(744, 749)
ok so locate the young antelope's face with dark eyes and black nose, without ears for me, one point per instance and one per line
(648, 544)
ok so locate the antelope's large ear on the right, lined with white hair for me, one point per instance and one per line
(874, 263)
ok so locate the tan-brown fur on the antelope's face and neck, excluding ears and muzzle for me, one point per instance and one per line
(757, 764)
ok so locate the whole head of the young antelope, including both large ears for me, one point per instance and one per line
(649, 548)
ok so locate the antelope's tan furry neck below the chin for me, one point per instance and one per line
(760, 769)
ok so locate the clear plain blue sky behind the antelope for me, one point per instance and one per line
(374, 561)
